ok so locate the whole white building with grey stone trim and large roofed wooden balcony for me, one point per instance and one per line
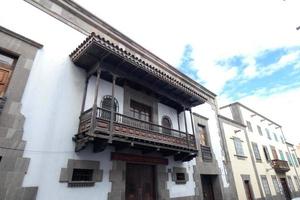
(88, 113)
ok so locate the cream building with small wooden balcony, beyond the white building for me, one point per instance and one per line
(263, 164)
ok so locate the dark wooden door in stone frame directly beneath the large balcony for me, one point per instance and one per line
(140, 182)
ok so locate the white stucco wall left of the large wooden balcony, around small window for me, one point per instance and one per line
(51, 104)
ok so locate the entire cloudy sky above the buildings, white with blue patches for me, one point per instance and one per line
(243, 51)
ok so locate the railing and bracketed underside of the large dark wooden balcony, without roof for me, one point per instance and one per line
(97, 124)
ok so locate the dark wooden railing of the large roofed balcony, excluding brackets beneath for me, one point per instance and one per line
(121, 127)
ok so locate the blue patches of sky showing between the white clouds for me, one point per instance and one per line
(276, 70)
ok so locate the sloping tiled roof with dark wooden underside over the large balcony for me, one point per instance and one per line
(116, 58)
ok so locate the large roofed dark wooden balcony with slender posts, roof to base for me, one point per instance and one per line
(133, 67)
